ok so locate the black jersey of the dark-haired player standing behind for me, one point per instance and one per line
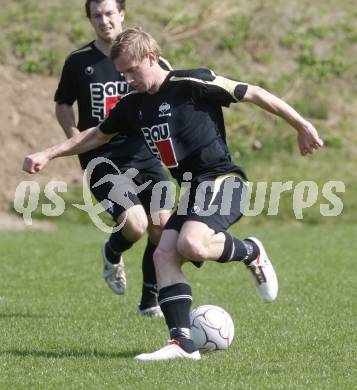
(90, 78)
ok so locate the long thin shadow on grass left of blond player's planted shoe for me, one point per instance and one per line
(69, 354)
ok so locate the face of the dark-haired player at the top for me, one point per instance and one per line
(106, 19)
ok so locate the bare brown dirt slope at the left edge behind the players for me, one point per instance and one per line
(28, 124)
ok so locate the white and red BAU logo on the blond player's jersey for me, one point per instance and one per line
(159, 141)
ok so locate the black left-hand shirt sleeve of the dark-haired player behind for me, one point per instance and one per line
(66, 92)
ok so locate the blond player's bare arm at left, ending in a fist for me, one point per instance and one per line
(79, 143)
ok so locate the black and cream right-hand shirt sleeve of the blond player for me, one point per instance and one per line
(217, 89)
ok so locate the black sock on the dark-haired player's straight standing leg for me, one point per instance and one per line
(149, 290)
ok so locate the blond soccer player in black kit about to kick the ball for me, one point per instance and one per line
(179, 113)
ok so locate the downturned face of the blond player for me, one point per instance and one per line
(137, 73)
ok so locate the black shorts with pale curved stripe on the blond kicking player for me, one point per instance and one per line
(217, 202)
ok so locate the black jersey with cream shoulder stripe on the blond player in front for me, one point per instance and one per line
(183, 122)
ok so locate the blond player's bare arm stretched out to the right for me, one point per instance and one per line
(308, 138)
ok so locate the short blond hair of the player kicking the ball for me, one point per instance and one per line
(134, 42)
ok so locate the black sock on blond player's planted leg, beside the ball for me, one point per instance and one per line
(175, 302)
